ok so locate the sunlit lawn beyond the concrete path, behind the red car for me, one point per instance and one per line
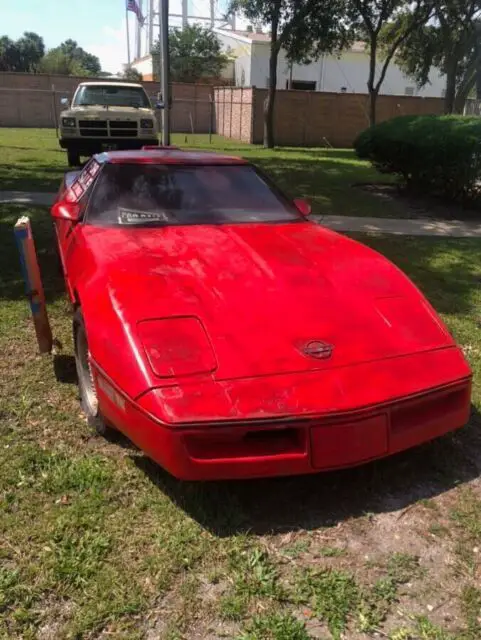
(31, 159)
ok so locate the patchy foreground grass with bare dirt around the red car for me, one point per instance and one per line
(98, 542)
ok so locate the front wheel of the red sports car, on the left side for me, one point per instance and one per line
(87, 390)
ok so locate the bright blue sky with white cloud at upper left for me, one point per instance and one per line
(97, 25)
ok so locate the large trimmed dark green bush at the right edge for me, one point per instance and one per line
(435, 154)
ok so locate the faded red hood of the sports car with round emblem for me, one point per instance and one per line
(265, 292)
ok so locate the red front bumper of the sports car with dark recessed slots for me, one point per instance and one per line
(292, 444)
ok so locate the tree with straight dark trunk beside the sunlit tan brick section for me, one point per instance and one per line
(303, 28)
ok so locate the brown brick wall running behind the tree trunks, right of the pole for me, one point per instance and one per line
(310, 118)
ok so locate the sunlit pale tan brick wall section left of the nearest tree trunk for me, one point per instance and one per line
(233, 112)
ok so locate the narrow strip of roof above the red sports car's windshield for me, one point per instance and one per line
(169, 156)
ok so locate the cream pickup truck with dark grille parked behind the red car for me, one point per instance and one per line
(106, 115)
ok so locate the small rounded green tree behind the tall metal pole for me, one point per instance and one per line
(195, 53)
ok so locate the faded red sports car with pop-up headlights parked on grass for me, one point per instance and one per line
(230, 337)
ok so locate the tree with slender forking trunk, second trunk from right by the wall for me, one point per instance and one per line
(368, 20)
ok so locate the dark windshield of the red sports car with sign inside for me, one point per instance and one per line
(172, 194)
